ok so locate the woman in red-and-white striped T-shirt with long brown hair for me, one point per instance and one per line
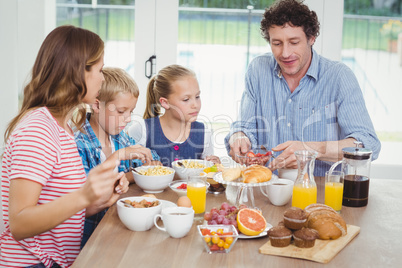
(45, 192)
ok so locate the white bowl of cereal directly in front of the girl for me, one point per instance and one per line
(187, 167)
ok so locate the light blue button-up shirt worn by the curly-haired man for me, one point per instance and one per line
(327, 105)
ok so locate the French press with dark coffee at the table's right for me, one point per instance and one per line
(356, 164)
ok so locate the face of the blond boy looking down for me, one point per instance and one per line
(116, 114)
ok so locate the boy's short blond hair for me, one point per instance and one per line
(116, 81)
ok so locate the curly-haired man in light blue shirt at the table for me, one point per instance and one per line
(297, 100)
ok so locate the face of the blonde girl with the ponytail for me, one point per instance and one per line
(185, 103)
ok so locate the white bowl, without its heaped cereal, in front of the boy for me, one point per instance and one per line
(152, 184)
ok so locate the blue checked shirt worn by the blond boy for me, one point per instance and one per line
(90, 150)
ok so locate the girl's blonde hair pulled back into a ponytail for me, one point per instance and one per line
(160, 85)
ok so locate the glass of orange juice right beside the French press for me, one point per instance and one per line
(334, 189)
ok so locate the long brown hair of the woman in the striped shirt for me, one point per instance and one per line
(58, 75)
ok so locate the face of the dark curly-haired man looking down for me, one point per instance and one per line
(291, 50)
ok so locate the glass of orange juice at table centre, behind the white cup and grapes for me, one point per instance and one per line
(197, 192)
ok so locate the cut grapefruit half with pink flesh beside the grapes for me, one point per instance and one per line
(250, 221)
